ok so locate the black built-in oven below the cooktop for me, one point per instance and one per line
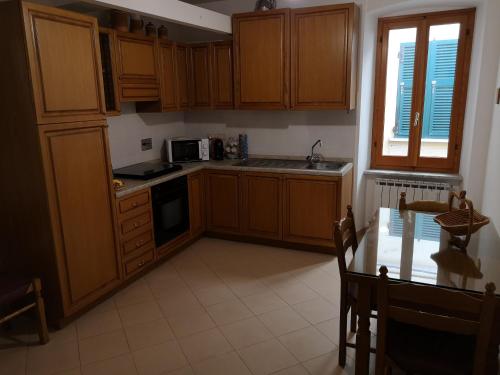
(170, 210)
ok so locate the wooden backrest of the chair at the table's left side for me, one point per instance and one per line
(345, 237)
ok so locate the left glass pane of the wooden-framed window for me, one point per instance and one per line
(398, 91)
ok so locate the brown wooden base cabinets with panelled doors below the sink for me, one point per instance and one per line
(294, 209)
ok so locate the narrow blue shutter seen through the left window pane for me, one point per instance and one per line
(405, 89)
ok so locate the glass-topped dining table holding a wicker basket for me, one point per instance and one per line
(415, 249)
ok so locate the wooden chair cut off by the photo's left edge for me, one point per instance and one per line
(23, 294)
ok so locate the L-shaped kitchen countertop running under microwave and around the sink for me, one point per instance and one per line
(132, 186)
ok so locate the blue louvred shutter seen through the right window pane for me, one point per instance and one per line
(440, 82)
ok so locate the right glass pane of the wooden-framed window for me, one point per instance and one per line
(439, 86)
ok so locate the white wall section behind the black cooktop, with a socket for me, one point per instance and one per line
(127, 130)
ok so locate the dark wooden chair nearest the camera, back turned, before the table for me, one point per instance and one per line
(430, 330)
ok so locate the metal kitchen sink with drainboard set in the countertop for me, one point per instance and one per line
(291, 164)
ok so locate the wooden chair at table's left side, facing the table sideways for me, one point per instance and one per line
(346, 238)
